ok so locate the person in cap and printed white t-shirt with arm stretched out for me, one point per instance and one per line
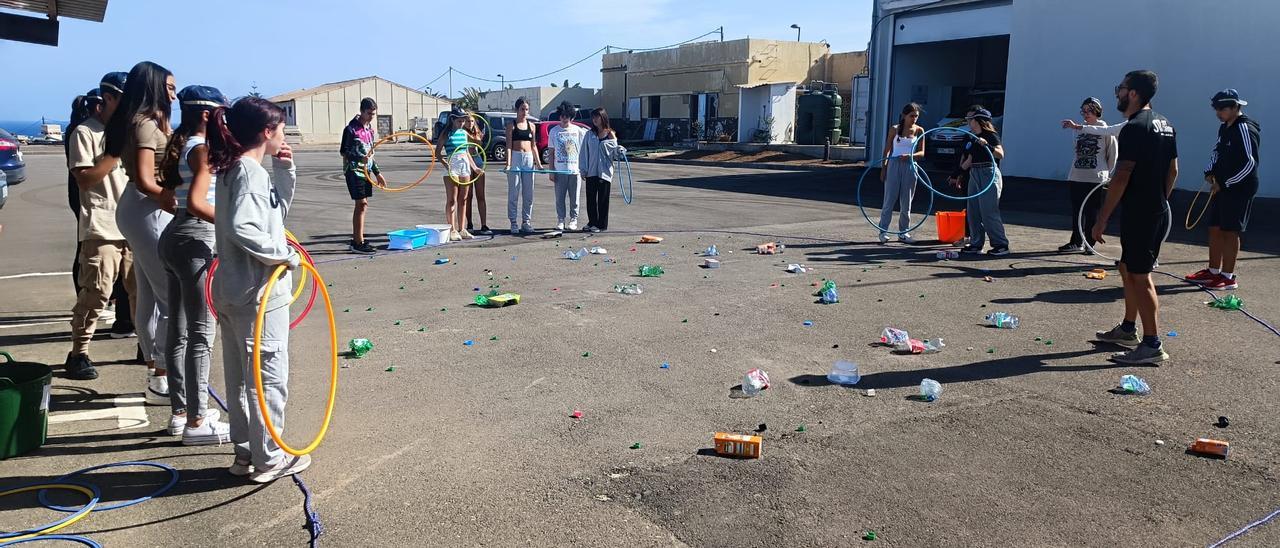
(1095, 161)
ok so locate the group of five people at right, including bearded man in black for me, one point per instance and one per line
(1139, 163)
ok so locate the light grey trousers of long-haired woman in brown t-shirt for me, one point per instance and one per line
(141, 221)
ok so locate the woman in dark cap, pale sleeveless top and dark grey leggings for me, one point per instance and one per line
(188, 250)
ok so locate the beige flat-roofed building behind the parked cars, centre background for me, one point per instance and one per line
(702, 83)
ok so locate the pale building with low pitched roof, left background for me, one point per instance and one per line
(319, 115)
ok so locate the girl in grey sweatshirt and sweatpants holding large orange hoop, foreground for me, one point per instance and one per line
(249, 223)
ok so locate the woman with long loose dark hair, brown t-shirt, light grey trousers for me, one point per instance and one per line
(138, 135)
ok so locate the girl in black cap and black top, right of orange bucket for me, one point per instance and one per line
(981, 159)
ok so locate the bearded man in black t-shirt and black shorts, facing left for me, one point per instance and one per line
(1144, 180)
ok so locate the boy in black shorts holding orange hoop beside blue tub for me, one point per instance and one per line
(358, 139)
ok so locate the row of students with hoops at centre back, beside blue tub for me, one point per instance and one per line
(579, 154)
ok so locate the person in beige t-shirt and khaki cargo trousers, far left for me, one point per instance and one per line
(104, 255)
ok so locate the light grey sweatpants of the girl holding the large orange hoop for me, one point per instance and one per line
(249, 433)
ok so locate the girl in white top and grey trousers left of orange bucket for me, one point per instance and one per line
(902, 145)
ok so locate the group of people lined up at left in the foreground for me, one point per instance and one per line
(157, 205)
